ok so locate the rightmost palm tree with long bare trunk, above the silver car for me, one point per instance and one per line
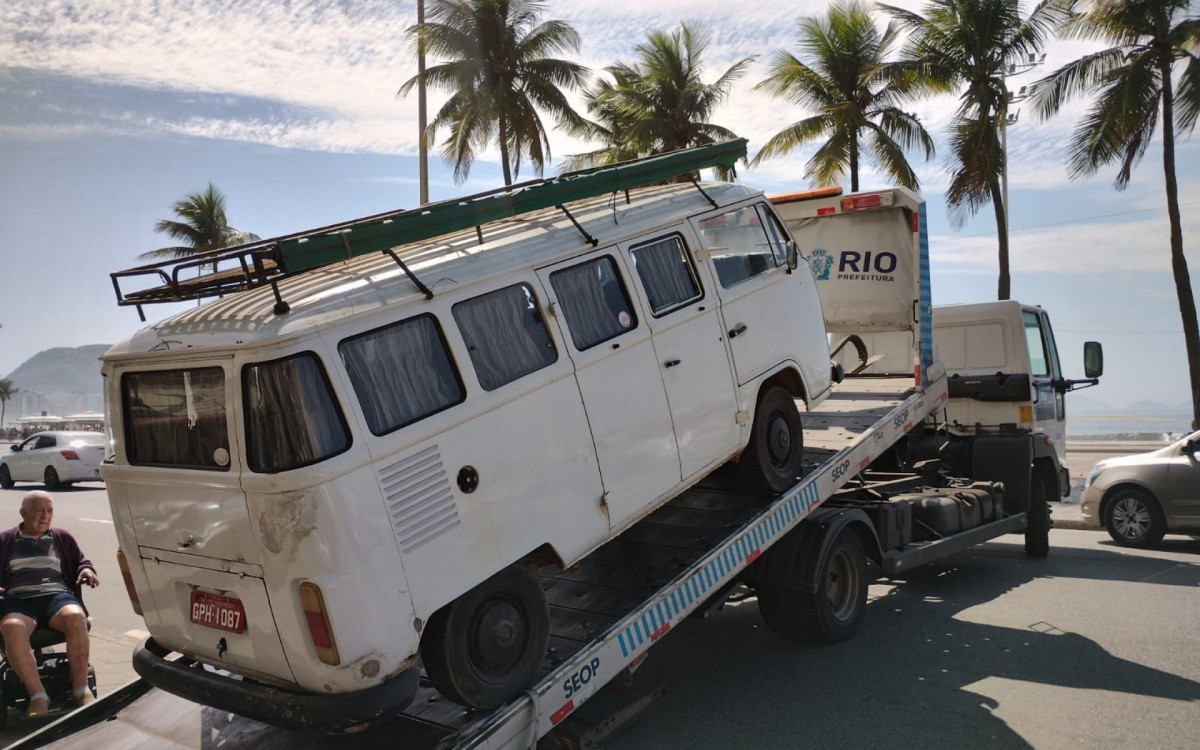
(1133, 83)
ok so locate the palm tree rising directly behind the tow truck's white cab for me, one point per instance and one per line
(970, 45)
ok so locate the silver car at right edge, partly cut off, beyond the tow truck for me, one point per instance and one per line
(1139, 499)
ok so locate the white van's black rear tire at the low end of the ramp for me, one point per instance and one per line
(485, 647)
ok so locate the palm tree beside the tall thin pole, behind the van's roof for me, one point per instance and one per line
(499, 77)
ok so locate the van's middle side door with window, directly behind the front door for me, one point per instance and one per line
(686, 321)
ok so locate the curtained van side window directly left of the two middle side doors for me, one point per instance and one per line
(506, 335)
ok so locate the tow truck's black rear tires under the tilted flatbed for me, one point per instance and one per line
(832, 614)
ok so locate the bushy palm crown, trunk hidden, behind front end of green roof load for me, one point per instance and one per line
(661, 101)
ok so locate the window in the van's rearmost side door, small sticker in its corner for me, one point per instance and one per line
(595, 302)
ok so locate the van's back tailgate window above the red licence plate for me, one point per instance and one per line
(177, 418)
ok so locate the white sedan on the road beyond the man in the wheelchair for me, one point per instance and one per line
(55, 459)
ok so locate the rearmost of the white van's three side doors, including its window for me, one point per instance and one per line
(620, 379)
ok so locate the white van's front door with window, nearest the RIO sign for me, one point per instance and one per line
(760, 301)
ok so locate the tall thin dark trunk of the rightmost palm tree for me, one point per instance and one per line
(1179, 262)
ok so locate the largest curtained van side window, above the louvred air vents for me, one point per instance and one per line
(401, 374)
